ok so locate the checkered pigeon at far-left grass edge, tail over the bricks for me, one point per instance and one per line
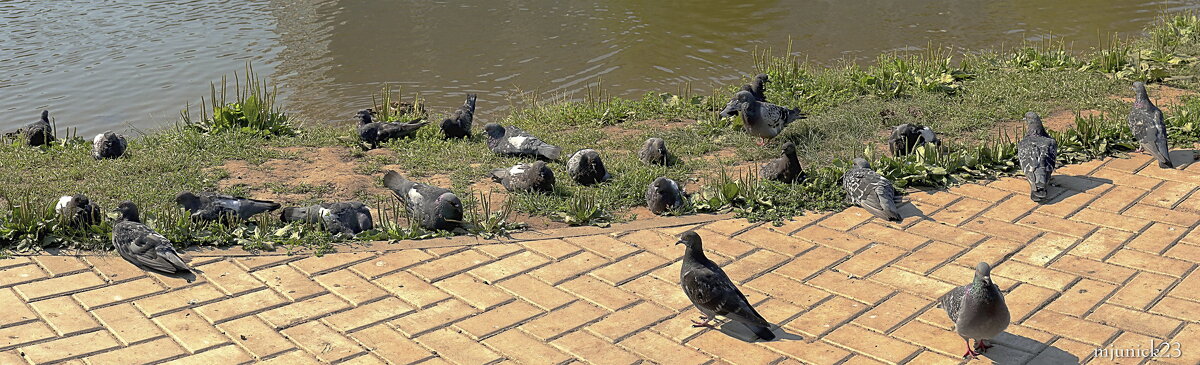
(141, 246)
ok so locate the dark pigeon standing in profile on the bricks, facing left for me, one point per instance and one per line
(713, 294)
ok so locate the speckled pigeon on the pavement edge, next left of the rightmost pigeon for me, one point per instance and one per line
(1037, 153)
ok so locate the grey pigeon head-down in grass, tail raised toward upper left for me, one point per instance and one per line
(434, 207)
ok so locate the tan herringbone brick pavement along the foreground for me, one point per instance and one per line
(1108, 264)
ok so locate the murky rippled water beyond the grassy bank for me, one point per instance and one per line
(131, 64)
